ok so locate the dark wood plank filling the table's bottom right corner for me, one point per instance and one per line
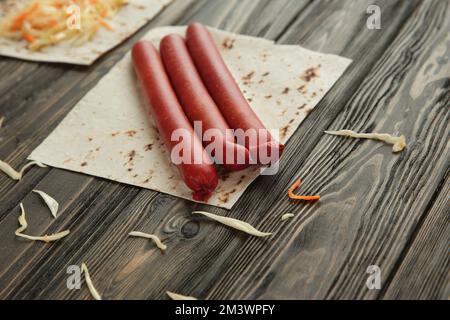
(424, 271)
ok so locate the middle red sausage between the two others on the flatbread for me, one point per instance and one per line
(198, 104)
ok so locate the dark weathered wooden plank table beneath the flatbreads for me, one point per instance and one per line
(378, 208)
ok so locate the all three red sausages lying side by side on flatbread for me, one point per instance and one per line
(187, 84)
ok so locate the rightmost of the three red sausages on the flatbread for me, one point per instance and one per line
(224, 89)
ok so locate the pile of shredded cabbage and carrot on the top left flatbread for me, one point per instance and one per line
(44, 23)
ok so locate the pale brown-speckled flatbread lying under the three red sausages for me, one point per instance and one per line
(109, 134)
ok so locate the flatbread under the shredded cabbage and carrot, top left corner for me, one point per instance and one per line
(128, 20)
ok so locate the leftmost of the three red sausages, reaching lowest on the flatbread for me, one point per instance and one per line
(200, 176)
